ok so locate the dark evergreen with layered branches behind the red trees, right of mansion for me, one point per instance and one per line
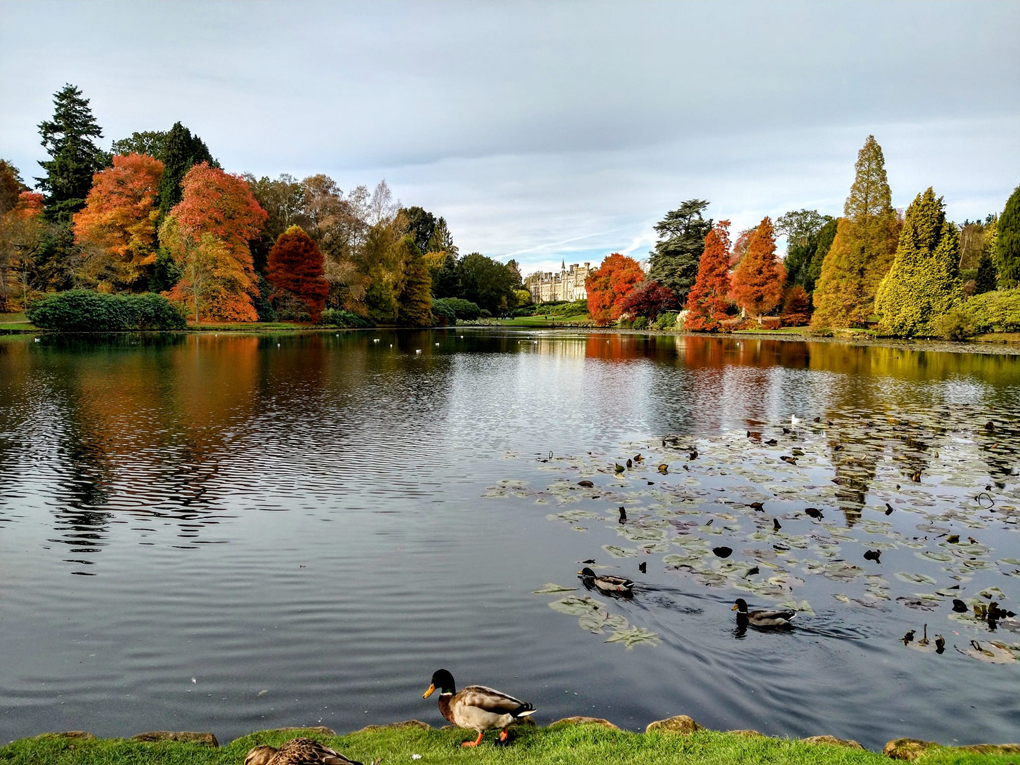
(682, 242)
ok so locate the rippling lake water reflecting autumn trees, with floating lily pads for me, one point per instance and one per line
(234, 533)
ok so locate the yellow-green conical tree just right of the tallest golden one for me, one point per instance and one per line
(924, 284)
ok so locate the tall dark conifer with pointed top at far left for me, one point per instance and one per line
(74, 157)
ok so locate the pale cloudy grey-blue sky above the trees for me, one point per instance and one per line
(549, 131)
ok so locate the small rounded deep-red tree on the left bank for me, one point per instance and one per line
(295, 270)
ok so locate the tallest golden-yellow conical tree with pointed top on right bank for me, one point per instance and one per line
(863, 248)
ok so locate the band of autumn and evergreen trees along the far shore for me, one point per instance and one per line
(158, 214)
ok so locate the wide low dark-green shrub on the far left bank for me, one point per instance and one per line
(84, 311)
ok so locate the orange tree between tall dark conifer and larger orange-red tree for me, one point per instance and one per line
(121, 214)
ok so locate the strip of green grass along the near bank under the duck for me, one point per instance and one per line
(560, 746)
